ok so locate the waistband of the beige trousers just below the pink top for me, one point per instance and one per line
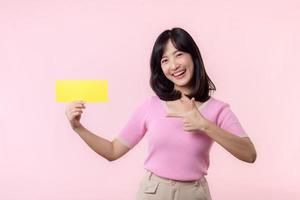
(151, 176)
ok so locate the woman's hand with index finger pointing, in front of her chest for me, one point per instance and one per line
(193, 120)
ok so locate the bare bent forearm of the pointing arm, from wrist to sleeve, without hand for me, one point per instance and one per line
(240, 147)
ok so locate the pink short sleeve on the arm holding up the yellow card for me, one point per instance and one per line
(135, 127)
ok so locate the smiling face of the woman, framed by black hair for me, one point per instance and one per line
(178, 67)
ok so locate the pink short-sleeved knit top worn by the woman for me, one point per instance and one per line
(172, 152)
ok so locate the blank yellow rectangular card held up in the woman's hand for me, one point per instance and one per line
(86, 90)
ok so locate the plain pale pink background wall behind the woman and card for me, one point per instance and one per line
(250, 50)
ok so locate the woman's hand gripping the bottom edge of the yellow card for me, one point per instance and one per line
(73, 113)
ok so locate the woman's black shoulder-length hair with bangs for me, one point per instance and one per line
(161, 85)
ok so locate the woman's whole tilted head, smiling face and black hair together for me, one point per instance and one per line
(177, 67)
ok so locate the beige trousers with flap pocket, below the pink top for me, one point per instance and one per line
(153, 187)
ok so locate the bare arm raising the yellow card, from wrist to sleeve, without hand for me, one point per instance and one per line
(105, 148)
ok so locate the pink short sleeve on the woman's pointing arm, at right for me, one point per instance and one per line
(228, 121)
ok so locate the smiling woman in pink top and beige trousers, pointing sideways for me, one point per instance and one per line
(181, 123)
